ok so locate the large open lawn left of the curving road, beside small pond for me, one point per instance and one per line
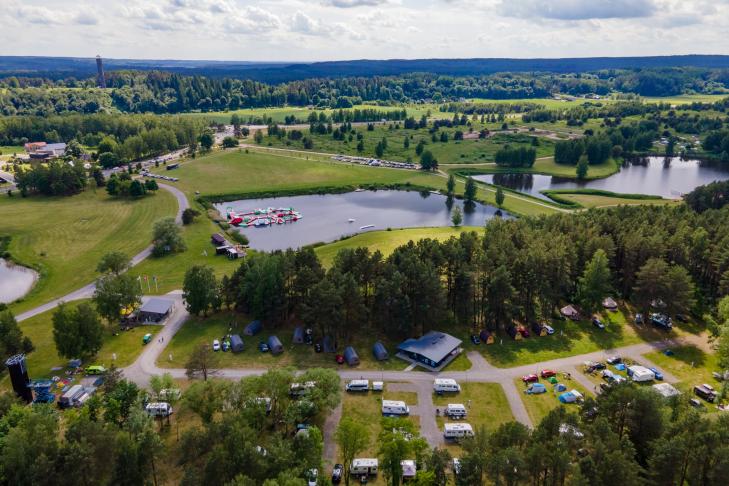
(65, 237)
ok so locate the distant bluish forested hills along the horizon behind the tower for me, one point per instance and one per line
(271, 72)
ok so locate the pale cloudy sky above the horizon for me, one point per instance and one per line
(312, 30)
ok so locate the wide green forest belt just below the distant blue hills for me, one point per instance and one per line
(164, 92)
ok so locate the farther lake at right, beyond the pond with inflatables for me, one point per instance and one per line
(656, 176)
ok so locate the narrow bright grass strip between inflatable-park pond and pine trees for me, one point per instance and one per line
(387, 241)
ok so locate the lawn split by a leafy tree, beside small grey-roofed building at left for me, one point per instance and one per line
(126, 345)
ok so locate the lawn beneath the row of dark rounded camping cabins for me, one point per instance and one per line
(198, 330)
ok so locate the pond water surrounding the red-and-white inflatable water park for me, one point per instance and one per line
(325, 217)
